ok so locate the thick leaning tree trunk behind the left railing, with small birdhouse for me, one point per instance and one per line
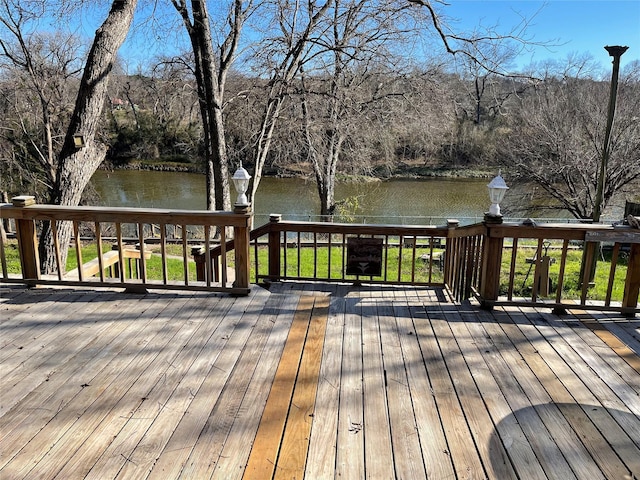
(76, 166)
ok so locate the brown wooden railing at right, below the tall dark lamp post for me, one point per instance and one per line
(489, 285)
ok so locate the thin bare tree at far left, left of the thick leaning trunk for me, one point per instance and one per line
(42, 69)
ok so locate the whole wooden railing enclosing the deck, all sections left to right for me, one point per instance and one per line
(497, 263)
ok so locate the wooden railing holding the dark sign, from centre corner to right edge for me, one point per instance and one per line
(494, 262)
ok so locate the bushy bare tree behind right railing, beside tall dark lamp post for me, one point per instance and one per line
(555, 140)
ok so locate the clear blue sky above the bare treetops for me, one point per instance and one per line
(572, 26)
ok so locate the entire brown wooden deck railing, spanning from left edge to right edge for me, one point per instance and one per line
(471, 258)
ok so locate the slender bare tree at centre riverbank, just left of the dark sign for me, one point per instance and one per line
(353, 71)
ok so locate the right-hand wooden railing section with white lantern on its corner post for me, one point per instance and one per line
(549, 264)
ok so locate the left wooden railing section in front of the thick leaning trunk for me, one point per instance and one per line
(27, 214)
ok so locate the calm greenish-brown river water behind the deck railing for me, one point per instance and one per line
(395, 201)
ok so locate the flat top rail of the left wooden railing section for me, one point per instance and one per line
(125, 215)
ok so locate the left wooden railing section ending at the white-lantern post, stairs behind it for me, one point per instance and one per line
(172, 269)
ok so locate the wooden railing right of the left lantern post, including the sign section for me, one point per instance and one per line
(472, 261)
